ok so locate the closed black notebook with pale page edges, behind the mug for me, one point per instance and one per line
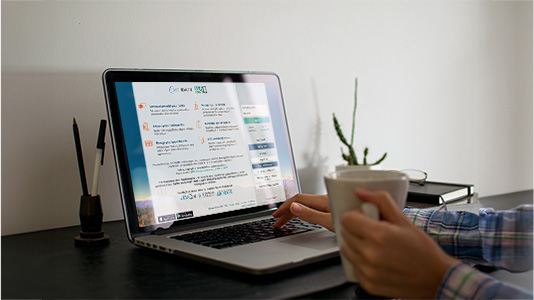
(438, 192)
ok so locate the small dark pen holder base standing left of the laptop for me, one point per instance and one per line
(91, 220)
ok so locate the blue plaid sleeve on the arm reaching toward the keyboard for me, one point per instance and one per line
(502, 239)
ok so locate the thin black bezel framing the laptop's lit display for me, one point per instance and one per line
(111, 76)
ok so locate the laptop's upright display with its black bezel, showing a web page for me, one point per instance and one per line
(198, 144)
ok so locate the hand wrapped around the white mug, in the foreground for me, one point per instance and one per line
(391, 257)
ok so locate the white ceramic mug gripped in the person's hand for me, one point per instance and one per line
(341, 187)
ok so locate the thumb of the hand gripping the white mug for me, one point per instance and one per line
(386, 205)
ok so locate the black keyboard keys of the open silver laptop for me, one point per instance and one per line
(246, 233)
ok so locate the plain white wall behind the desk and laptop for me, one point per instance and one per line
(445, 86)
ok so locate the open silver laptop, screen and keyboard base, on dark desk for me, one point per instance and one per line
(203, 159)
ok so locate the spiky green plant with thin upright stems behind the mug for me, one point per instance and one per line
(350, 157)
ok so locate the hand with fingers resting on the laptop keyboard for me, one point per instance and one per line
(311, 208)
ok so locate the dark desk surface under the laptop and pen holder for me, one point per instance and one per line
(47, 264)
